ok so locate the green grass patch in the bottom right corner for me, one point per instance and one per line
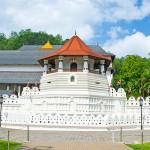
(146, 146)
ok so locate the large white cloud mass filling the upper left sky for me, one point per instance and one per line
(55, 17)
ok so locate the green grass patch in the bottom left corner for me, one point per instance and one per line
(12, 145)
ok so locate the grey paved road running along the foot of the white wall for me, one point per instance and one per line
(130, 136)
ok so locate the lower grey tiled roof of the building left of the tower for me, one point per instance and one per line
(20, 77)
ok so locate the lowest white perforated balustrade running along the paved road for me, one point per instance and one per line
(57, 119)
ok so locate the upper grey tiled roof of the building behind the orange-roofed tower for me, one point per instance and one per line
(28, 54)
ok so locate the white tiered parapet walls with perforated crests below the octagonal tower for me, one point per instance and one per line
(33, 109)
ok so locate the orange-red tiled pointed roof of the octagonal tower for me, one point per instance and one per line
(74, 47)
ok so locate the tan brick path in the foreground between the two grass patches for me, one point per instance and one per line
(74, 146)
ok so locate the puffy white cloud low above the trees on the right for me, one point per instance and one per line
(135, 44)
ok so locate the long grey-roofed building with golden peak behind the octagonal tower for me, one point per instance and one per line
(20, 67)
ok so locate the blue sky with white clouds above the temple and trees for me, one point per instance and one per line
(121, 27)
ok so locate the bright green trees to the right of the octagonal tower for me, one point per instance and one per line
(134, 73)
